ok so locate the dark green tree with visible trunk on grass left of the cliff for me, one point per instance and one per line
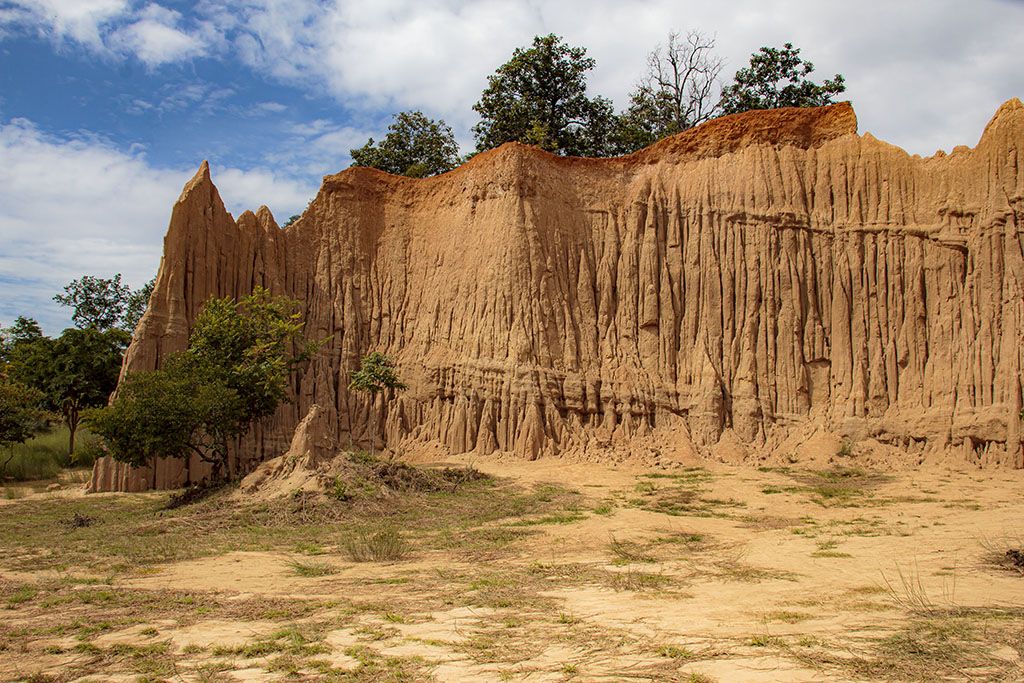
(74, 372)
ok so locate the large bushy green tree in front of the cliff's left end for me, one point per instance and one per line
(235, 373)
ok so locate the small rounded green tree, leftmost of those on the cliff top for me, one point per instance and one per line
(415, 146)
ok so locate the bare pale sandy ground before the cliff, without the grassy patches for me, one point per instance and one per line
(738, 590)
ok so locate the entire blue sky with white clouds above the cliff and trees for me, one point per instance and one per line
(109, 107)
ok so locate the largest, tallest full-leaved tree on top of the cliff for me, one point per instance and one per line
(540, 98)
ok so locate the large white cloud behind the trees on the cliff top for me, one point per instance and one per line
(922, 76)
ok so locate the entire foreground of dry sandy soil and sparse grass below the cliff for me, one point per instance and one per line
(539, 572)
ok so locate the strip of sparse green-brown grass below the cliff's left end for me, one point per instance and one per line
(134, 534)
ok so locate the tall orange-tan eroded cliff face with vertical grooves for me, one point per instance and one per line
(762, 273)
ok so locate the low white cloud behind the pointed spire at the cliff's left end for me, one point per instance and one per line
(75, 207)
